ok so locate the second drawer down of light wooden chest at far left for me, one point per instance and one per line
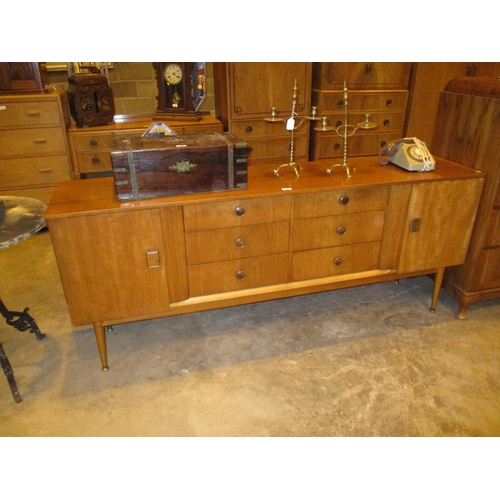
(32, 142)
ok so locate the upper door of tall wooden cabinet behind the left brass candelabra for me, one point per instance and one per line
(257, 87)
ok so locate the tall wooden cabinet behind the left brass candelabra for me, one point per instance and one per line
(245, 94)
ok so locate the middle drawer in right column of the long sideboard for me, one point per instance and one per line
(337, 230)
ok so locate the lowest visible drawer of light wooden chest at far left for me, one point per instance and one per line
(45, 170)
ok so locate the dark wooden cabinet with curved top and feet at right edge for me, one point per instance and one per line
(468, 130)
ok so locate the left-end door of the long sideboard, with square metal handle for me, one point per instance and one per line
(112, 266)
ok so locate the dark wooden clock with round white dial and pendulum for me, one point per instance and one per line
(181, 89)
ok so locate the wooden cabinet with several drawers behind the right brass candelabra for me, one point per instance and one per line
(377, 89)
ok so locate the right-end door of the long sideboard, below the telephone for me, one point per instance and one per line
(439, 224)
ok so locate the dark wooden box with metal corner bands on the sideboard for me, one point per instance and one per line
(149, 167)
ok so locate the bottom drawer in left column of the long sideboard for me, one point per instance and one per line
(240, 274)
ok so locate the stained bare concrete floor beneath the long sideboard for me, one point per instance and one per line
(369, 361)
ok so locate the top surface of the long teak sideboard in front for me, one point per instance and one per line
(84, 197)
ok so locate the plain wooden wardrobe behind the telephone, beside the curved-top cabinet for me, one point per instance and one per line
(428, 80)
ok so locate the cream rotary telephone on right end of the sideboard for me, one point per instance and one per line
(409, 153)
